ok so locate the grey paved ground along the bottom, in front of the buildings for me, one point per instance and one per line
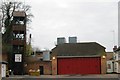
(66, 77)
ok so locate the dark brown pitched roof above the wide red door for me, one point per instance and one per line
(79, 49)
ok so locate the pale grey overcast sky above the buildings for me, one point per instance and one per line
(88, 20)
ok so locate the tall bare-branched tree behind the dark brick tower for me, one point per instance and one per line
(6, 18)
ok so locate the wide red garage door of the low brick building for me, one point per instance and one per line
(86, 65)
